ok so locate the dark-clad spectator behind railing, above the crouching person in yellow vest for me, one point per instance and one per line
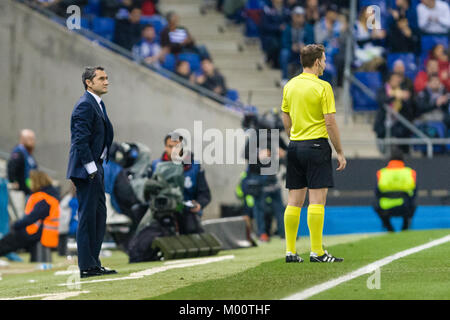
(398, 99)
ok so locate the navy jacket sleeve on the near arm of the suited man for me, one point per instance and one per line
(82, 120)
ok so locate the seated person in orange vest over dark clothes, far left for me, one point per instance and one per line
(41, 219)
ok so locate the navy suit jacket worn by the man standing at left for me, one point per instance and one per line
(91, 131)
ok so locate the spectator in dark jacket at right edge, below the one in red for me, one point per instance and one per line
(432, 102)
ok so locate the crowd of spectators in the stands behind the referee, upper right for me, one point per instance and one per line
(416, 88)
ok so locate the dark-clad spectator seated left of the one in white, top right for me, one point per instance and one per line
(401, 38)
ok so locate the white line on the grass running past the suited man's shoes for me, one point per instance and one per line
(149, 272)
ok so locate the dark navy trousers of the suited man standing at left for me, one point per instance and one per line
(91, 219)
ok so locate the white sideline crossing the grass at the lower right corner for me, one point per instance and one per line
(305, 294)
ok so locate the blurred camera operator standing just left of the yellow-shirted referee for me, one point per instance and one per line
(264, 188)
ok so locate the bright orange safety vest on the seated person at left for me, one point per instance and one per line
(50, 233)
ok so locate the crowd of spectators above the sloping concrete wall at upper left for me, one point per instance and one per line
(161, 43)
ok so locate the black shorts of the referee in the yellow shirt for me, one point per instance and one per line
(309, 164)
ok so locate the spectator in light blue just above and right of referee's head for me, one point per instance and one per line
(327, 31)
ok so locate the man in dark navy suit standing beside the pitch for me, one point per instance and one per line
(91, 138)
